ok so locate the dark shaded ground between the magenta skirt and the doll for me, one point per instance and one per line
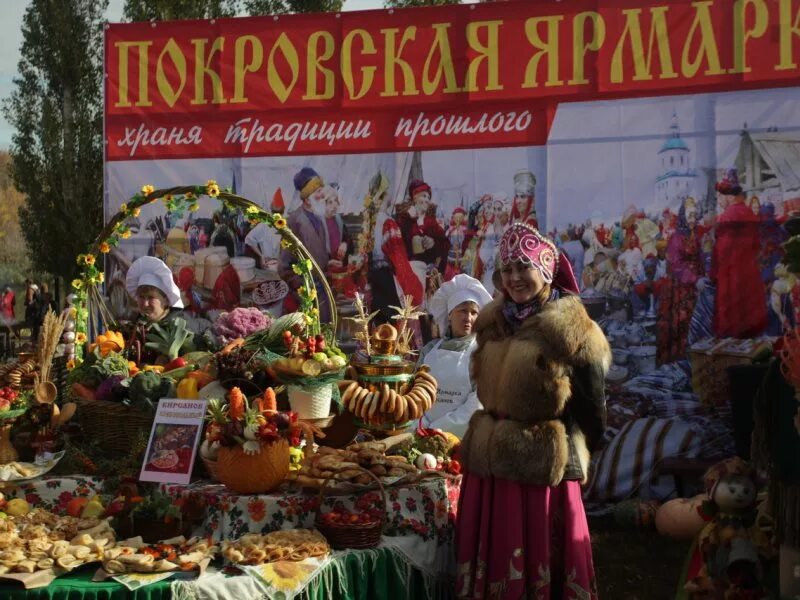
(635, 565)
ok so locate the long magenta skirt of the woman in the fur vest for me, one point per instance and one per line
(523, 541)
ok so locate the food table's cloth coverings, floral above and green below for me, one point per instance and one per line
(414, 560)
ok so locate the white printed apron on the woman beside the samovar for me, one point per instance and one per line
(451, 370)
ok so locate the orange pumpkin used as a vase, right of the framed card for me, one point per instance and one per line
(253, 473)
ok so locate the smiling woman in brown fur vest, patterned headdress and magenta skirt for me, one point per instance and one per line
(539, 367)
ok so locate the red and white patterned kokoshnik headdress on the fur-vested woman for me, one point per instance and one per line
(525, 244)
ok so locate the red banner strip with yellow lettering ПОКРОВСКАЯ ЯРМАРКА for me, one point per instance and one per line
(441, 77)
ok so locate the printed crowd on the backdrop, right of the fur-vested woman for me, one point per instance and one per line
(692, 272)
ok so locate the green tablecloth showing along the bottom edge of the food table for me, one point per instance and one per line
(368, 576)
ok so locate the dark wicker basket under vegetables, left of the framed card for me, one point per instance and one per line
(114, 426)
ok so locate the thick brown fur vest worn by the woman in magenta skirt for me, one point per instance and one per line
(535, 407)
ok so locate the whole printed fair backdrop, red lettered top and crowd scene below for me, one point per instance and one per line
(658, 143)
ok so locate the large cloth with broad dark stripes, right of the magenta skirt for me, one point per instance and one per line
(627, 466)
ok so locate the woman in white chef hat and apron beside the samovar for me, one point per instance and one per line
(454, 307)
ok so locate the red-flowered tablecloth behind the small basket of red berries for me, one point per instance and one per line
(426, 509)
